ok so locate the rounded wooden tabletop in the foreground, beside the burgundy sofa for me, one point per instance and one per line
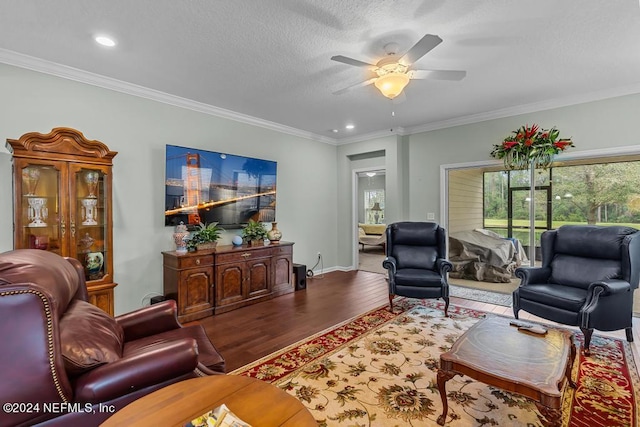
(255, 402)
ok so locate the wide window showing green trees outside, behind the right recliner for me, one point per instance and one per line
(602, 193)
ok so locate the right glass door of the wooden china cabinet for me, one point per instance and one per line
(89, 222)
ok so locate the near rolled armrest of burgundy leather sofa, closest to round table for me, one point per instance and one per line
(165, 361)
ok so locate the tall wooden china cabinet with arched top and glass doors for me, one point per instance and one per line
(62, 203)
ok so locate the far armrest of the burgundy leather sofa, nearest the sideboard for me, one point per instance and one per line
(150, 320)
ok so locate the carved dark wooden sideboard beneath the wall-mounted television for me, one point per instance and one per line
(228, 277)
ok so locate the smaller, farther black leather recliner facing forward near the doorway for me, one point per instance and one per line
(416, 261)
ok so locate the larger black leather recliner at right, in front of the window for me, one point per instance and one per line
(587, 279)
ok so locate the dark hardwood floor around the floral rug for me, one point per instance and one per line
(249, 333)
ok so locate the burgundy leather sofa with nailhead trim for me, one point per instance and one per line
(65, 362)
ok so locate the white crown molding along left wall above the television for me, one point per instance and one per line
(47, 67)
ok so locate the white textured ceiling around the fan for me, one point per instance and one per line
(268, 62)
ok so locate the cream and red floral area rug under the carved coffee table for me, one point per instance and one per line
(380, 368)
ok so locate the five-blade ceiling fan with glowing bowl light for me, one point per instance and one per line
(394, 72)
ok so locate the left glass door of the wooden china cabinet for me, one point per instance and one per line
(41, 220)
